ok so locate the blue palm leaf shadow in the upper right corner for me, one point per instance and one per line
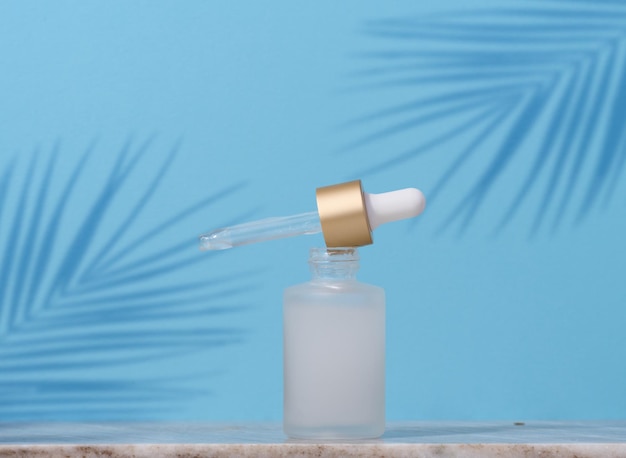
(553, 71)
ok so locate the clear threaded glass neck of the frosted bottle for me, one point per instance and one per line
(334, 264)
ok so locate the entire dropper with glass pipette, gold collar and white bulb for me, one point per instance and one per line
(346, 215)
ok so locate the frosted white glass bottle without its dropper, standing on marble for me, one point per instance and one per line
(334, 352)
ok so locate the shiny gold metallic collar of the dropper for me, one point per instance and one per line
(343, 215)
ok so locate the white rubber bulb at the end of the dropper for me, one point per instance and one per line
(393, 206)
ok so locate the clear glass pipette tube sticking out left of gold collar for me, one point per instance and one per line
(261, 230)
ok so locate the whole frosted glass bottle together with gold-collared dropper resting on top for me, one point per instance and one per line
(334, 326)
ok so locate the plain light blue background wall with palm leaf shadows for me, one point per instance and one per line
(128, 128)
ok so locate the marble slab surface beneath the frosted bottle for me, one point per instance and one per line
(424, 439)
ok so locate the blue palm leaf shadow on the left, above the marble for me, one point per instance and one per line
(64, 314)
